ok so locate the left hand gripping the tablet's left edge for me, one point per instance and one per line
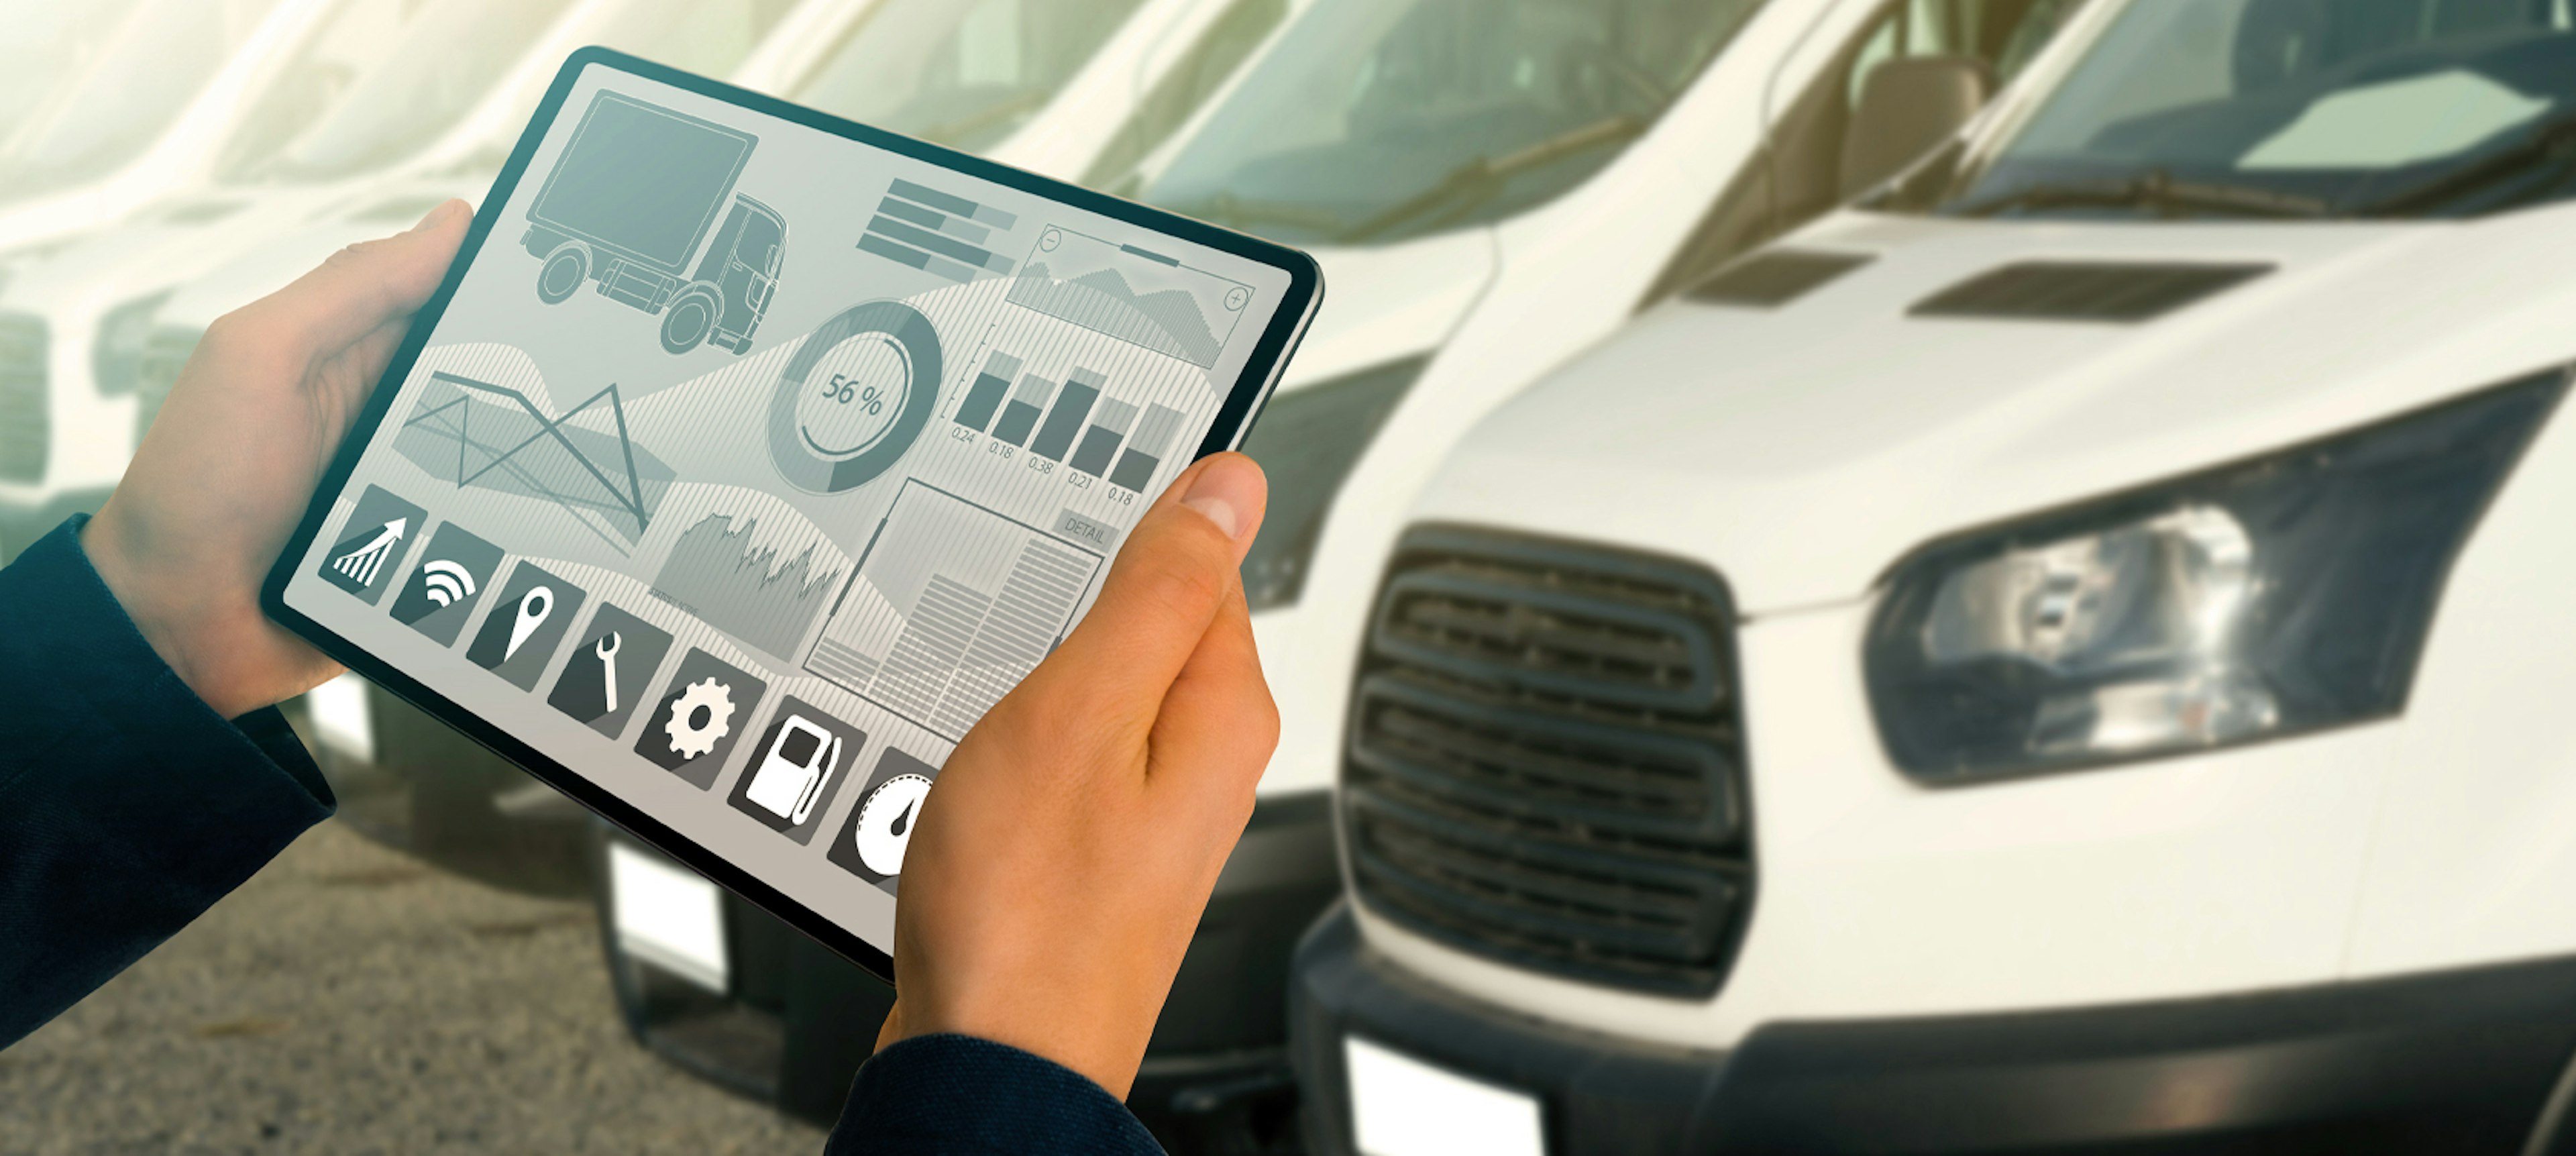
(236, 454)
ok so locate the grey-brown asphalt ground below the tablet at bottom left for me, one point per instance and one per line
(352, 1000)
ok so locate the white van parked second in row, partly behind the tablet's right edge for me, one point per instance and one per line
(1490, 189)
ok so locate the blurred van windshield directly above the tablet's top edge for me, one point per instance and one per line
(960, 73)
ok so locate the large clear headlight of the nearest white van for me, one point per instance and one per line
(2253, 601)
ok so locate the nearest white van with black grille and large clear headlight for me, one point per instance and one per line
(2057, 658)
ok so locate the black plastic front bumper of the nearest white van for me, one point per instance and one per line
(2464, 1062)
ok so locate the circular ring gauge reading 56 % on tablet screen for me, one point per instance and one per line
(857, 398)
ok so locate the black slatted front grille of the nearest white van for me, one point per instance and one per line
(1547, 761)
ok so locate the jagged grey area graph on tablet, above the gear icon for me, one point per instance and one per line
(723, 575)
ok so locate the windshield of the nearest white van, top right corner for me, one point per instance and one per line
(2299, 109)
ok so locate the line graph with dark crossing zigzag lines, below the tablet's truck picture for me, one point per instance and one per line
(488, 436)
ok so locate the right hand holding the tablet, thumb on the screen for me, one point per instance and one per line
(1070, 846)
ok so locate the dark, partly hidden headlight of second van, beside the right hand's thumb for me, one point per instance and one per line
(1307, 444)
